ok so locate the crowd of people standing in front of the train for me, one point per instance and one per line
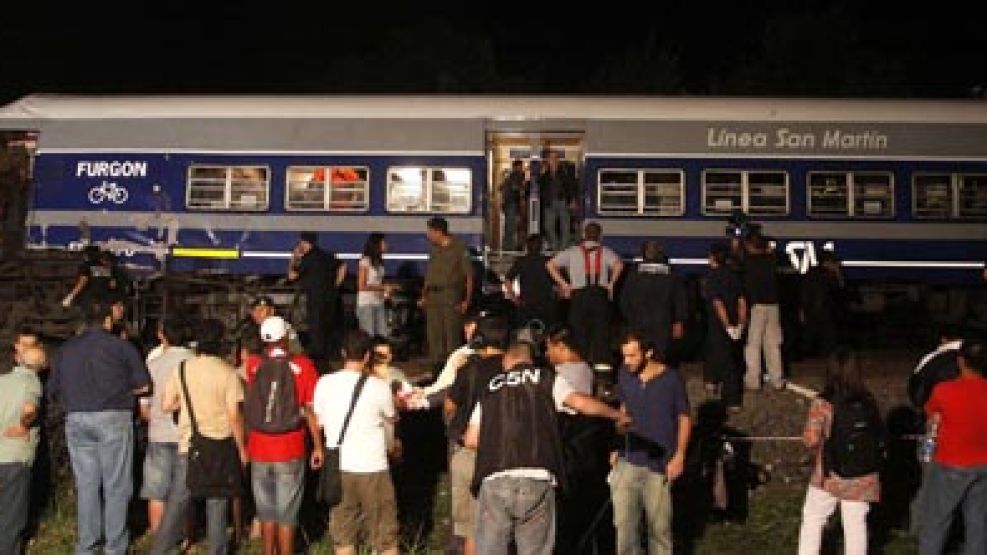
(534, 449)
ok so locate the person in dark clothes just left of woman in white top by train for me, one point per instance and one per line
(318, 274)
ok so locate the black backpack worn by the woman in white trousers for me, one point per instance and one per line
(855, 445)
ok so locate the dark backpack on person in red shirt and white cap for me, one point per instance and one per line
(271, 404)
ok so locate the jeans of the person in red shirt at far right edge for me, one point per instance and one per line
(950, 489)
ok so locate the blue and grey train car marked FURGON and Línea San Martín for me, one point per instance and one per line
(898, 189)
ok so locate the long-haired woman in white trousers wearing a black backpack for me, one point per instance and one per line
(850, 482)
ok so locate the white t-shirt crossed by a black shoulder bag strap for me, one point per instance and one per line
(364, 449)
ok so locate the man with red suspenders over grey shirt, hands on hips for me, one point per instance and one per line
(593, 271)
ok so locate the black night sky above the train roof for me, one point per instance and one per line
(783, 48)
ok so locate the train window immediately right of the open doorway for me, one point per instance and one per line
(641, 192)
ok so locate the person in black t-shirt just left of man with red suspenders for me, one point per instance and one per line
(536, 295)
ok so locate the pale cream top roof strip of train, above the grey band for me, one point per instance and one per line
(34, 109)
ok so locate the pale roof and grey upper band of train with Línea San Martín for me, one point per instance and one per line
(613, 126)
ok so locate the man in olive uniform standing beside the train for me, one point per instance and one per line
(447, 291)
